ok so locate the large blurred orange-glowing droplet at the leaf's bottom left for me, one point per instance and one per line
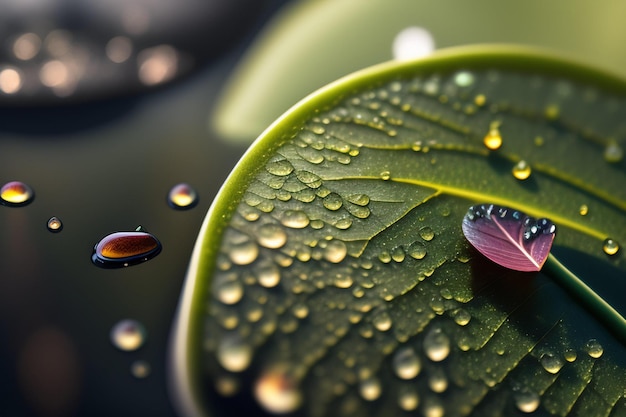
(277, 392)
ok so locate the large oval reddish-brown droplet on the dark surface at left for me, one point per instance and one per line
(122, 249)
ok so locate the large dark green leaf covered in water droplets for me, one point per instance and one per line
(331, 276)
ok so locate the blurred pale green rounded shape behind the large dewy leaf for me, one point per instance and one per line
(315, 42)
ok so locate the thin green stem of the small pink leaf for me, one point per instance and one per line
(615, 322)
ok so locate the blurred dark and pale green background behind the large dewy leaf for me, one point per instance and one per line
(107, 105)
